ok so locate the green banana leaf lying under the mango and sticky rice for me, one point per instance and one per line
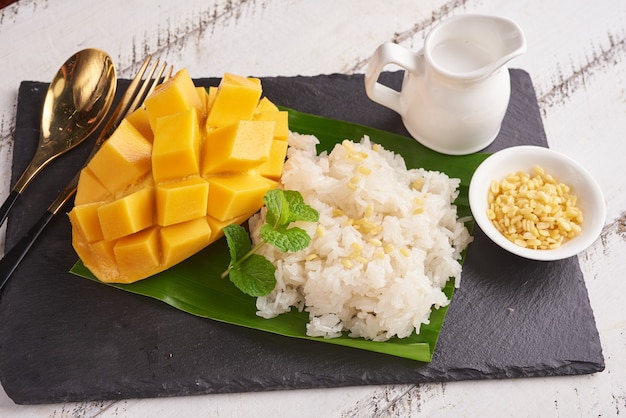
(195, 286)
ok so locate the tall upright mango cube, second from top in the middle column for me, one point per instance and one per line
(176, 147)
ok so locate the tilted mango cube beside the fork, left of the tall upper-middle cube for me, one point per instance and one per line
(128, 153)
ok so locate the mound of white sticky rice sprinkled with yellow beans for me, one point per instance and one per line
(387, 241)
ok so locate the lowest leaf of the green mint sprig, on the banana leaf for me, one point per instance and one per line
(254, 276)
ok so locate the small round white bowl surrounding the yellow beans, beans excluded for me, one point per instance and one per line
(561, 167)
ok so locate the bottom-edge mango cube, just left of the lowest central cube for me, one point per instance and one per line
(137, 252)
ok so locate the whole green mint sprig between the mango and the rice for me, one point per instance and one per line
(252, 273)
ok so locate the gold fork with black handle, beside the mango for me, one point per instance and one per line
(134, 96)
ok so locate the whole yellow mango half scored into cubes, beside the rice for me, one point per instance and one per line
(146, 203)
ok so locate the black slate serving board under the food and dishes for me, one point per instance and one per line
(63, 338)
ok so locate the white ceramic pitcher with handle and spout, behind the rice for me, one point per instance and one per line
(456, 89)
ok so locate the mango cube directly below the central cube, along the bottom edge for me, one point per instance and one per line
(182, 240)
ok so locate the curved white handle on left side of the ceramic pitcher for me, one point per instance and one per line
(385, 54)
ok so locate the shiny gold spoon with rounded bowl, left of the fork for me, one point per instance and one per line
(78, 99)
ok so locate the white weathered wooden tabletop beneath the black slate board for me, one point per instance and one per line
(576, 58)
